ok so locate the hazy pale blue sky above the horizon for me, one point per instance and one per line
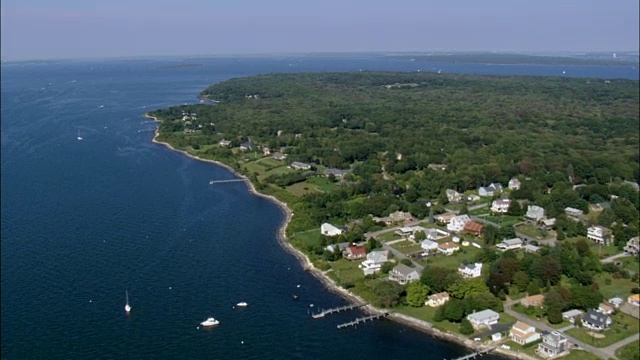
(36, 29)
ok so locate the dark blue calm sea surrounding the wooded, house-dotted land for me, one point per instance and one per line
(84, 220)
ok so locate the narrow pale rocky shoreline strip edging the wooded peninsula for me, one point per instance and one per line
(307, 265)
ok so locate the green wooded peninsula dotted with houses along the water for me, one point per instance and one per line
(478, 208)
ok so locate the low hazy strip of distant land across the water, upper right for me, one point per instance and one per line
(512, 59)
